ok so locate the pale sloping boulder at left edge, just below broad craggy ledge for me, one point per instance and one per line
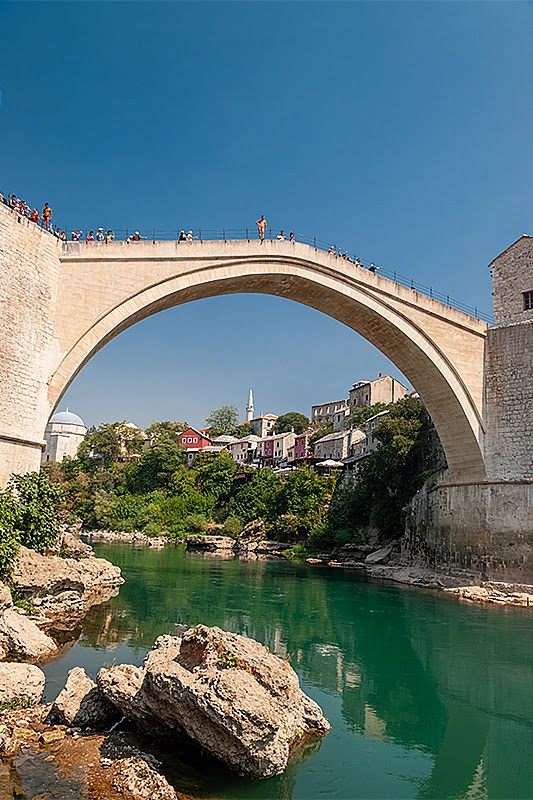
(19, 634)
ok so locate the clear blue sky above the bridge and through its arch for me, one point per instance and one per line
(401, 131)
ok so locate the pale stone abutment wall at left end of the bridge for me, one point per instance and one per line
(29, 270)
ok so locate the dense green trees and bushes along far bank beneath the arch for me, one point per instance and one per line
(117, 484)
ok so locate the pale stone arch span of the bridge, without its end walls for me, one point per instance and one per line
(105, 289)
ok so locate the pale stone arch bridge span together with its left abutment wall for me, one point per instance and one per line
(61, 303)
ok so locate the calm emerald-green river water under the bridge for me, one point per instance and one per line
(427, 697)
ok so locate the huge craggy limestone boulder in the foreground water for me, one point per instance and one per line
(231, 694)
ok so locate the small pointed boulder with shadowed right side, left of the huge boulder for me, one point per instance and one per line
(80, 703)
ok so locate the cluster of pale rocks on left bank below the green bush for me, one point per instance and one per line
(50, 594)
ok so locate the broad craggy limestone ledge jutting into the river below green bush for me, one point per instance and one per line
(62, 589)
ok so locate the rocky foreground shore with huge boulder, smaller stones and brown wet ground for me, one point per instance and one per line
(223, 692)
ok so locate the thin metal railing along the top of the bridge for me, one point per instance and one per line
(250, 234)
